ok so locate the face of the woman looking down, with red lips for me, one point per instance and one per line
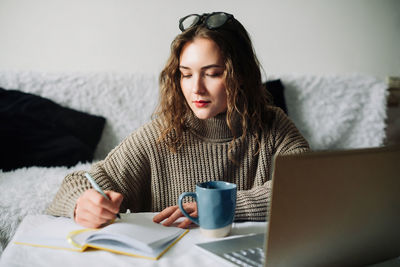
(202, 78)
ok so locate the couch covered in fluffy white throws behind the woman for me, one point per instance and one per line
(331, 111)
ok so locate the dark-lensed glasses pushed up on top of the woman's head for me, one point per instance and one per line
(212, 21)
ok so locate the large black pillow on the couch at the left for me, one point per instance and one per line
(35, 131)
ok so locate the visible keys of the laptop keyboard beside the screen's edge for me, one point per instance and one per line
(246, 257)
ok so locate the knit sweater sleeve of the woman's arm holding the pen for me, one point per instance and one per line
(125, 170)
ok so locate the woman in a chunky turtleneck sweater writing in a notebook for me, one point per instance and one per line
(214, 122)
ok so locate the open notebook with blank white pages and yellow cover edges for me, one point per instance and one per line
(135, 234)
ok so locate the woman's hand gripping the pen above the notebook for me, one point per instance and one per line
(92, 210)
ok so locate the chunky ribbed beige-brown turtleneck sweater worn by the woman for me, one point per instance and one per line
(151, 177)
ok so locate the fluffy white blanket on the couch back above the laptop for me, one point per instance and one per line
(337, 111)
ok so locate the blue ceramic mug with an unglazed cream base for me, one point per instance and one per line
(216, 204)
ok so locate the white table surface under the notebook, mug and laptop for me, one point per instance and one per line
(183, 253)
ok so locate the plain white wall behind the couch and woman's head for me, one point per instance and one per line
(290, 36)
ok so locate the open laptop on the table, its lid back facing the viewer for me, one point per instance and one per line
(328, 208)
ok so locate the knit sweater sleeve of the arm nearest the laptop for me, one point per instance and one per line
(284, 138)
